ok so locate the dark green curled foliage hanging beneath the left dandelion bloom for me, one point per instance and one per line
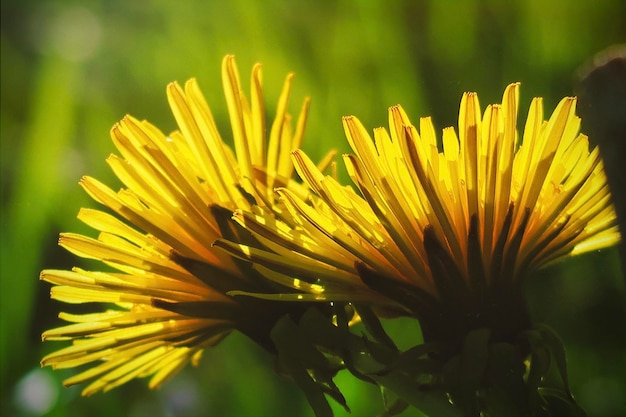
(299, 353)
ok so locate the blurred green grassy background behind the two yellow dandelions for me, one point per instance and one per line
(71, 69)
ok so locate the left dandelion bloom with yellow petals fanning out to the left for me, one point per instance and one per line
(166, 286)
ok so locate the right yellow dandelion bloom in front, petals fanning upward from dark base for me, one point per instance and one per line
(449, 229)
